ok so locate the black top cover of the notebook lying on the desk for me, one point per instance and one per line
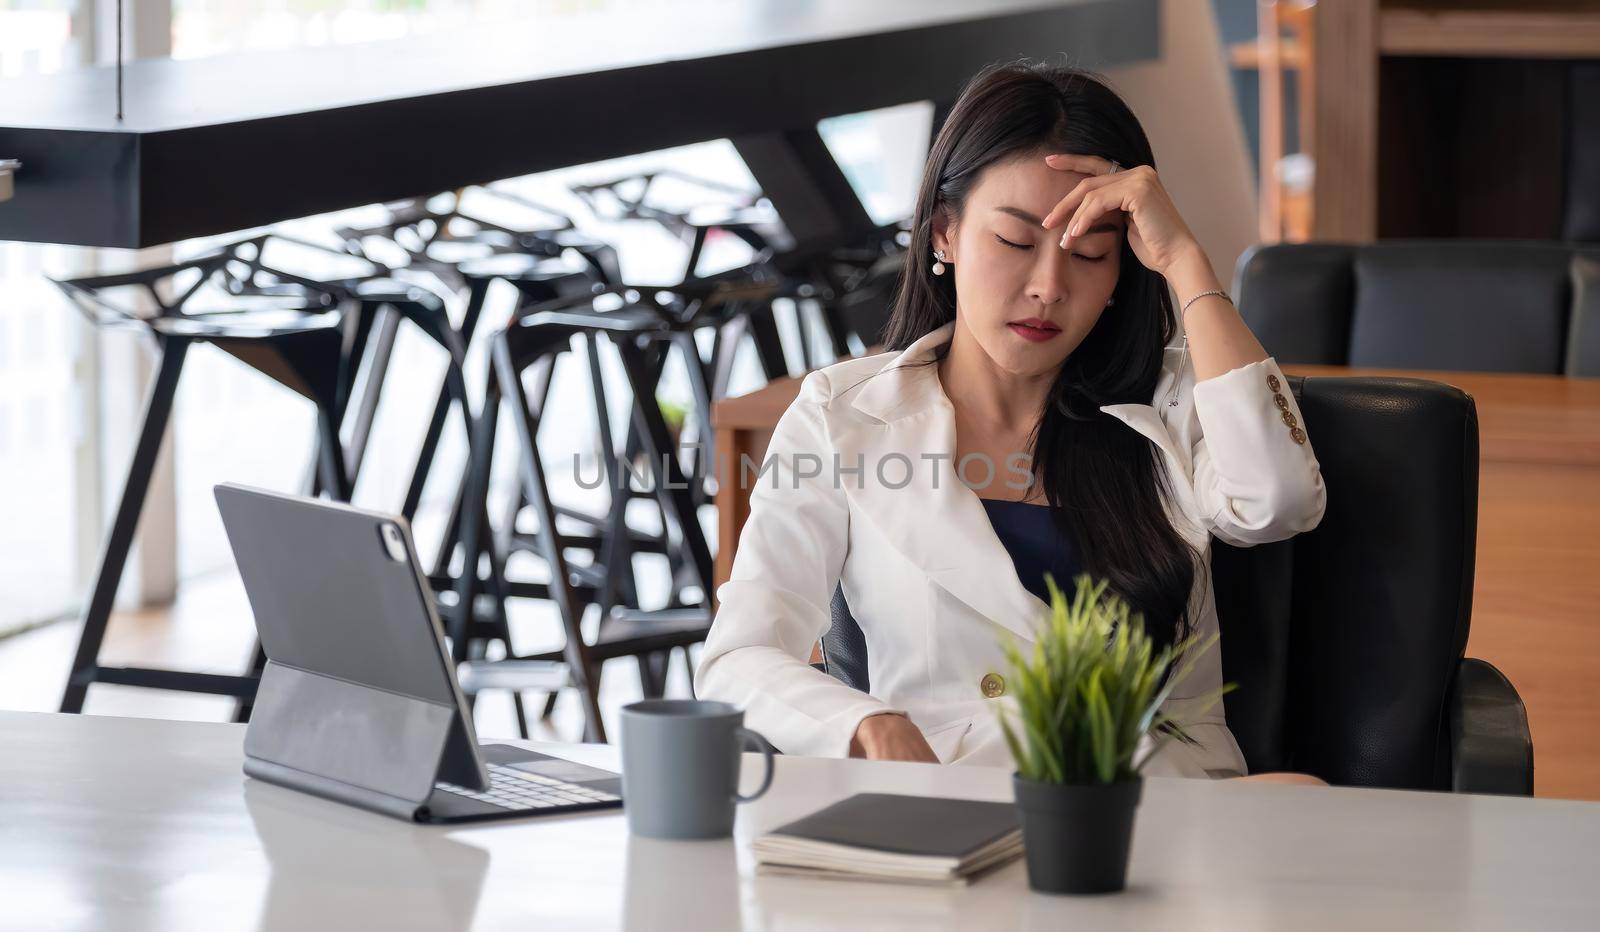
(914, 826)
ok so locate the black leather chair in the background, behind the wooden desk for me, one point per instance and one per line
(1447, 305)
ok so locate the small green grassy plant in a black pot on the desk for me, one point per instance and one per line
(1087, 694)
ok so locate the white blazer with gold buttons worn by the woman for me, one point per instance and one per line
(926, 576)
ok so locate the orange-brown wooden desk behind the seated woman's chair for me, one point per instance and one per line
(1537, 592)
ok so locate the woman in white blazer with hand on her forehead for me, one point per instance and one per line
(1044, 408)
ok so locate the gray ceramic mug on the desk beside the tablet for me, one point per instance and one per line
(681, 768)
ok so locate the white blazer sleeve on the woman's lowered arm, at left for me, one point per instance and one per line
(777, 601)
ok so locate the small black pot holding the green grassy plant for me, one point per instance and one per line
(1078, 837)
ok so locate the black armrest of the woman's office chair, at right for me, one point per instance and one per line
(1490, 745)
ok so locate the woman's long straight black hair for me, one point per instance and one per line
(1103, 481)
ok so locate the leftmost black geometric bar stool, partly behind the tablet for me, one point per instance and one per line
(327, 340)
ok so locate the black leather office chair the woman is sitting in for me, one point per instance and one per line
(1348, 641)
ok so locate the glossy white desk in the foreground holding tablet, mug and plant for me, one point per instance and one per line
(129, 824)
